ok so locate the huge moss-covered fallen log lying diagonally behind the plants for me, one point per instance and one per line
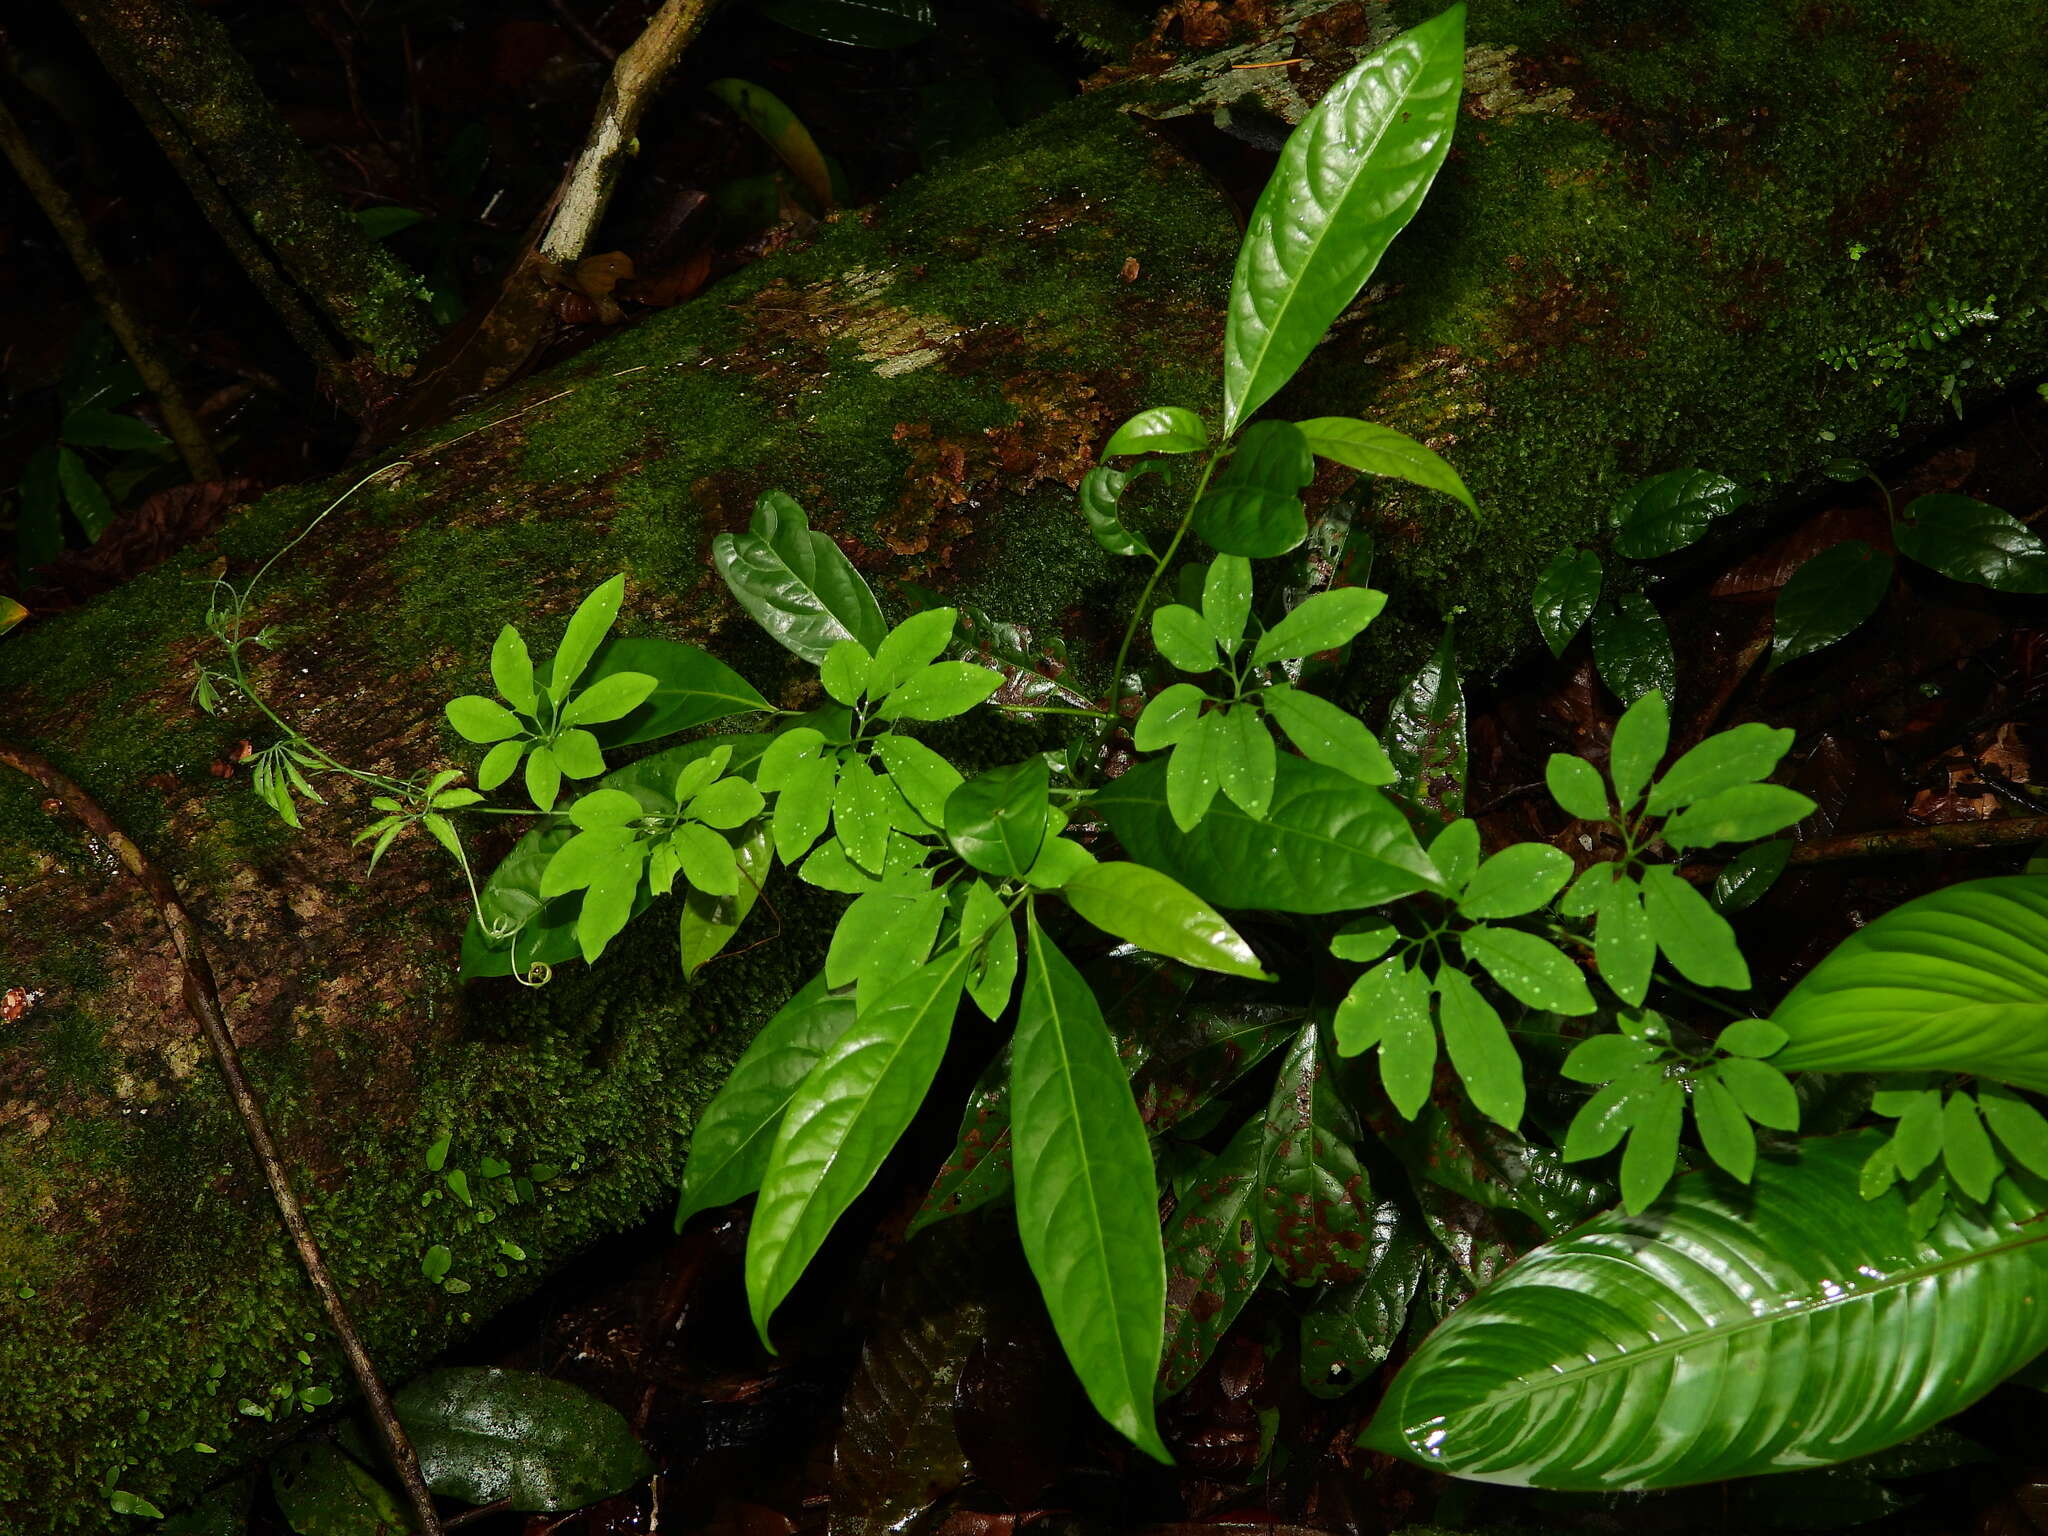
(1660, 241)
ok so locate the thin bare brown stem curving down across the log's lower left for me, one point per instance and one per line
(204, 1002)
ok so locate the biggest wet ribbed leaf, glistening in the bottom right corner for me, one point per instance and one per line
(1725, 1334)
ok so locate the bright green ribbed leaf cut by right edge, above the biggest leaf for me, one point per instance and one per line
(1951, 982)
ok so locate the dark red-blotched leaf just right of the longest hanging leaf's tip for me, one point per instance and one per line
(1213, 1256)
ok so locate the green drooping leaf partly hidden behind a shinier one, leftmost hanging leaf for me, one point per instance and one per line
(736, 1132)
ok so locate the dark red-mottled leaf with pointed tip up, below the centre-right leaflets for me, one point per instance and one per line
(1314, 1201)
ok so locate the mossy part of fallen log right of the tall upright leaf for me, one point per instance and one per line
(1543, 329)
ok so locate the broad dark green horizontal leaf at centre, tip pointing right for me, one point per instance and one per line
(1326, 843)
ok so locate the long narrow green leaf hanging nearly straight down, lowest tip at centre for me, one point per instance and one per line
(1084, 1187)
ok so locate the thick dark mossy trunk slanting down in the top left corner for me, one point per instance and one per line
(261, 189)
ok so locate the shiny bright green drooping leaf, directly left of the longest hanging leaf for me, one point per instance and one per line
(843, 1121)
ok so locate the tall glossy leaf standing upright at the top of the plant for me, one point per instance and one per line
(1349, 181)
